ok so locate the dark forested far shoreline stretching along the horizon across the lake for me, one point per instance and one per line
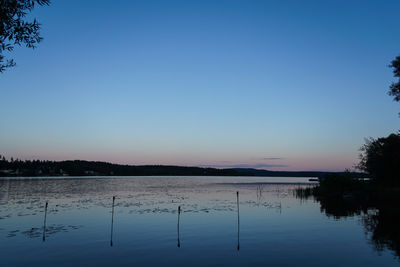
(81, 168)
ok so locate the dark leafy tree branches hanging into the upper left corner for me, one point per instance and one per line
(15, 30)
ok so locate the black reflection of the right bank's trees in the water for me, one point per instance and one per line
(379, 215)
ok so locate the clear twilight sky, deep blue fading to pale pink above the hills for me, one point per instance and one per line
(278, 85)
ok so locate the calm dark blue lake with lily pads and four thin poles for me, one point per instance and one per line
(264, 224)
